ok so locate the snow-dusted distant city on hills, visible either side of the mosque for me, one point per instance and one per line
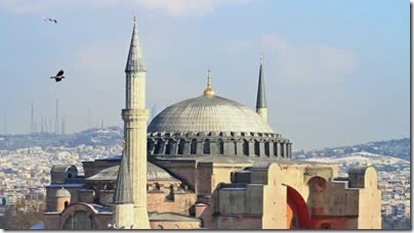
(26, 169)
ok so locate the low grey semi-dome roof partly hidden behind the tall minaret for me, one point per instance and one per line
(154, 173)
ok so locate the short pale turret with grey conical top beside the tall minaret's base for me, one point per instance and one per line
(123, 217)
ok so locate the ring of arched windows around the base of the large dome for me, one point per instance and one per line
(219, 147)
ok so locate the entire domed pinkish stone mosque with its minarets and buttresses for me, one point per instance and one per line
(207, 162)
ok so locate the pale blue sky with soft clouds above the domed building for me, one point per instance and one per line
(337, 72)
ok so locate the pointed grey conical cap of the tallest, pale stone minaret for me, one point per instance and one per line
(135, 60)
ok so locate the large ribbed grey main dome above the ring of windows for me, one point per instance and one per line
(208, 114)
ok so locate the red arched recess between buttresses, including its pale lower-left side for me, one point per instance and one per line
(297, 210)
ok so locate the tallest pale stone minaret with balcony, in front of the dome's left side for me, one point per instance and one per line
(135, 117)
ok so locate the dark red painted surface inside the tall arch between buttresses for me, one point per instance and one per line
(299, 208)
